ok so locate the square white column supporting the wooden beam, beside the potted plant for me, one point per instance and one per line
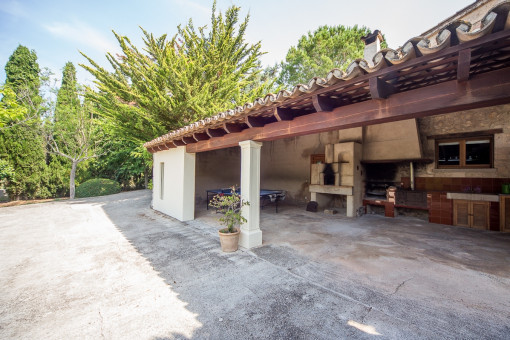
(251, 235)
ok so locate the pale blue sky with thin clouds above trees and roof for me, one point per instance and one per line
(57, 29)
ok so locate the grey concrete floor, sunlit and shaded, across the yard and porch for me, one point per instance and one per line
(110, 267)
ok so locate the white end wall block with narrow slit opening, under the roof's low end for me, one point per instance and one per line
(179, 183)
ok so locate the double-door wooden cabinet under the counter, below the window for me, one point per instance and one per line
(471, 214)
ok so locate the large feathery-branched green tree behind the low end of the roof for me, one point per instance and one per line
(174, 82)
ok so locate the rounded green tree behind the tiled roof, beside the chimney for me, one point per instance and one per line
(319, 52)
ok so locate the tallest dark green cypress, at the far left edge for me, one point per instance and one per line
(23, 145)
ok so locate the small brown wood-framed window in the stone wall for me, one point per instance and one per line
(464, 153)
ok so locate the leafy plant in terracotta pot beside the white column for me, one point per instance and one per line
(229, 204)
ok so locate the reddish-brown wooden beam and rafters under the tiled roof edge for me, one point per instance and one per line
(465, 76)
